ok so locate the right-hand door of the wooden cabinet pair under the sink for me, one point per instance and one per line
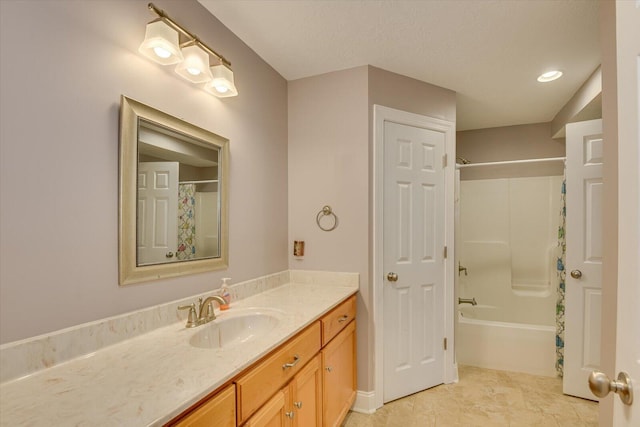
(306, 395)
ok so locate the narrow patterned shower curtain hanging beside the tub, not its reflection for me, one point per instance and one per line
(561, 275)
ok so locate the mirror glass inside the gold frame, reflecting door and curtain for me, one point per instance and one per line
(178, 198)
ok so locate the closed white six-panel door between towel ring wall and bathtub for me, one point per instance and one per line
(414, 236)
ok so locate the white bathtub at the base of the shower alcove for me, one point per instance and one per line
(483, 340)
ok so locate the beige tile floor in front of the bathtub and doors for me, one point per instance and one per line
(485, 397)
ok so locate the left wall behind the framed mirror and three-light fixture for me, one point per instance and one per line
(64, 66)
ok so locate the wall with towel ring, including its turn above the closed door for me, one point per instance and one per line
(330, 162)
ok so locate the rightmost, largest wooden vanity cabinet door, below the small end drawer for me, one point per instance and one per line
(339, 376)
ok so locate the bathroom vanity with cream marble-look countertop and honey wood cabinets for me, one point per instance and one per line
(299, 371)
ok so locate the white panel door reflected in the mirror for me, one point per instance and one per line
(157, 238)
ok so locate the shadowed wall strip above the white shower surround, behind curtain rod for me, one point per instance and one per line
(520, 142)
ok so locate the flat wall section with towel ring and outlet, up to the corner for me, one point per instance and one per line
(328, 165)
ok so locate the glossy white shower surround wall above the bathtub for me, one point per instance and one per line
(509, 243)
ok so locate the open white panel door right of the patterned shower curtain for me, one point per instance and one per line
(583, 295)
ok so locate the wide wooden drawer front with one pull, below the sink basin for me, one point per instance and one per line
(270, 375)
